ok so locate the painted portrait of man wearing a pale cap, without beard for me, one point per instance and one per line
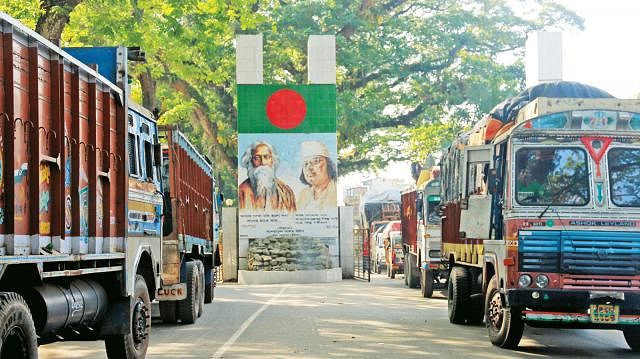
(319, 175)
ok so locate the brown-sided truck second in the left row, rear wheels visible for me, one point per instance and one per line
(190, 252)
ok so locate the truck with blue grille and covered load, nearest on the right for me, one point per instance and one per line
(540, 215)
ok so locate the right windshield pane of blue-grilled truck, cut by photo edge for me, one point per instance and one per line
(624, 175)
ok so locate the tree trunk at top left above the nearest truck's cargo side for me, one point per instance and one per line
(56, 16)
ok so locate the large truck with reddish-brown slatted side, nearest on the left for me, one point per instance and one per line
(81, 200)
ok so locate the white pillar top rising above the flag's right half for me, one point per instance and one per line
(321, 59)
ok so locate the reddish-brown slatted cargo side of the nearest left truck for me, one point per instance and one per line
(63, 152)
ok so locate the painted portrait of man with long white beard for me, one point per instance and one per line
(262, 190)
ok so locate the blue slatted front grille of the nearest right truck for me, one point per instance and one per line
(580, 252)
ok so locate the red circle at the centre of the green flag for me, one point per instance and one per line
(286, 109)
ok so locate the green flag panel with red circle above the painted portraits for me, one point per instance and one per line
(286, 109)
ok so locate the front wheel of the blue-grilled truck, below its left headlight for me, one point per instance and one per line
(505, 325)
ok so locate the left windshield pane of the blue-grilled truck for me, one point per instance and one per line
(552, 176)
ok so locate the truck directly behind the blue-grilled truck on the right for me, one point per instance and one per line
(421, 237)
